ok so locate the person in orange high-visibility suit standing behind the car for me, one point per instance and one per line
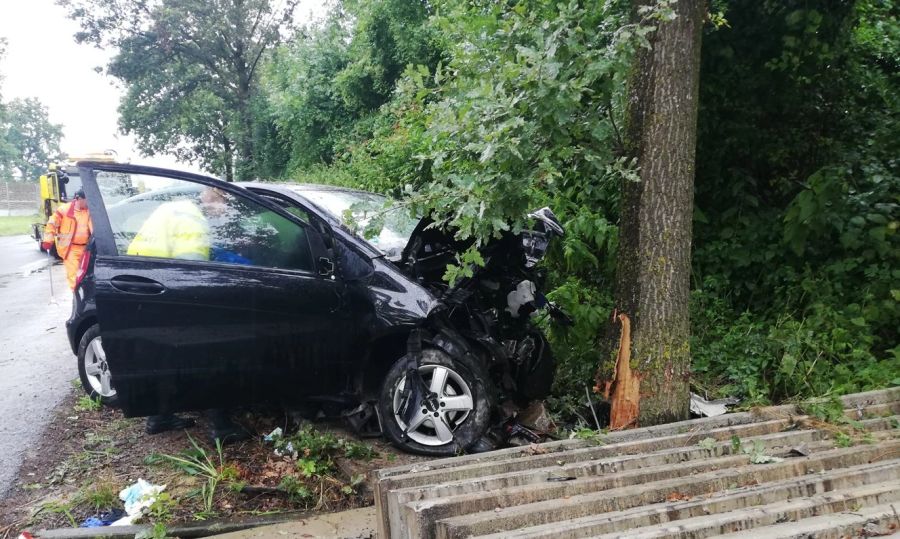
(70, 228)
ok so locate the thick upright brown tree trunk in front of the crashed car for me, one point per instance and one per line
(654, 262)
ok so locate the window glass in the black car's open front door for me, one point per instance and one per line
(155, 216)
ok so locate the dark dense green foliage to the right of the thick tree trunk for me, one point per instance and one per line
(796, 216)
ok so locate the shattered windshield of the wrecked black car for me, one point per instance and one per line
(379, 220)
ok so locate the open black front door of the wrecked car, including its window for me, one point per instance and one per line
(207, 295)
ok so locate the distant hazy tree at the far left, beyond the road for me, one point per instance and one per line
(28, 140)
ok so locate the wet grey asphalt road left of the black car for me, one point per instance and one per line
(36, 363)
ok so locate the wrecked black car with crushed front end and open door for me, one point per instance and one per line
(197, 294)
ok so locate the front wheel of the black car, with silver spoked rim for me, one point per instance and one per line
(462, 379)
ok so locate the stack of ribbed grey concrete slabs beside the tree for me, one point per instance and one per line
(656, 481)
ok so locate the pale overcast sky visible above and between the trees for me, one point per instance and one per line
(43, 61)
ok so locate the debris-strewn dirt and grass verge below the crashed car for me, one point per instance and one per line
(89, 454)
